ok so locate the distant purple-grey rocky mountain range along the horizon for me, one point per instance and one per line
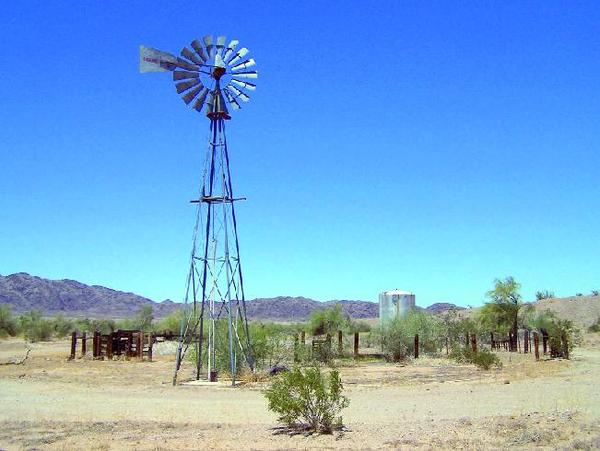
(24, 292)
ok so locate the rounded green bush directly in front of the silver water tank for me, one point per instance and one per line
(398, 336)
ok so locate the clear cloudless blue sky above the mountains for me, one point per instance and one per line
(426, 146)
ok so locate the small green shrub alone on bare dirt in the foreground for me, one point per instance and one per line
(308, 399)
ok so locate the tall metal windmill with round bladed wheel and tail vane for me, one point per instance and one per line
(210, 76)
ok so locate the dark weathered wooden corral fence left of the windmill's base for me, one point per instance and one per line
(120, 343)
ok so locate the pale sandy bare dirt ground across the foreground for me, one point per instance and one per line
(52, 403)
